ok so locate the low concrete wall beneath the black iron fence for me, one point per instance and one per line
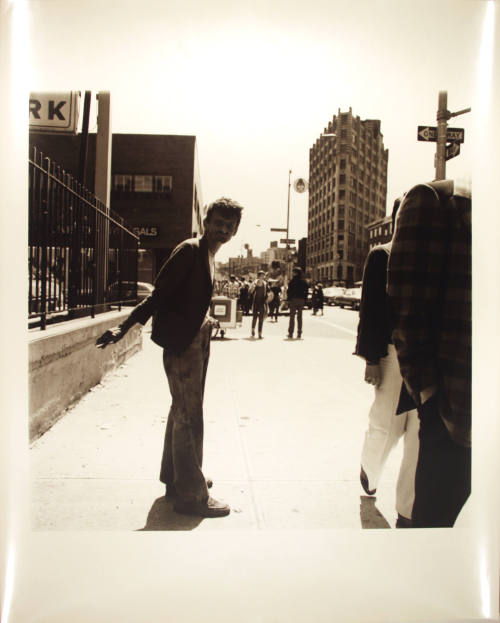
(64, 364)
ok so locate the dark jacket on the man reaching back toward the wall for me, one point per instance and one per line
(181, 297)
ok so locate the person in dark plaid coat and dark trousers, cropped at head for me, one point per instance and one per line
(429, 286)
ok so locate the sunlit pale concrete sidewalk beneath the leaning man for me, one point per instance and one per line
(284, 425)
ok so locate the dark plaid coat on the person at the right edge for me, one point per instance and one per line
(429, 286)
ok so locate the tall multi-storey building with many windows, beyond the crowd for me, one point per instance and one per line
(347, 191)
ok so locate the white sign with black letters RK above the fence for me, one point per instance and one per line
(54, 112)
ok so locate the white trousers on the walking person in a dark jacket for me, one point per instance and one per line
(385, 428)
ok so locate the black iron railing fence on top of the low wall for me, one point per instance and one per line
(82, 257)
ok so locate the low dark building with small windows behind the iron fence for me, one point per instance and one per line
(155, 187)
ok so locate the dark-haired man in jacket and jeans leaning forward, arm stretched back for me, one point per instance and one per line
(179, 306)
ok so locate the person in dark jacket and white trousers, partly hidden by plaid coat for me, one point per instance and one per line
(393, 414)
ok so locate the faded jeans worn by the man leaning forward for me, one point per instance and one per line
(183, 446)
